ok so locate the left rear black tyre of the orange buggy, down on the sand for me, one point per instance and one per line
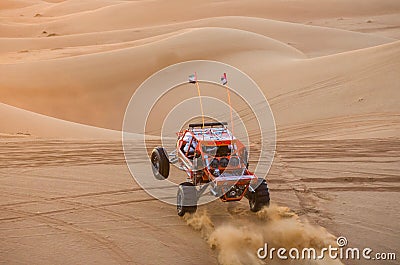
(186, 198)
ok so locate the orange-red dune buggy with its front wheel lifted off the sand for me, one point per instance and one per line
(214, 160)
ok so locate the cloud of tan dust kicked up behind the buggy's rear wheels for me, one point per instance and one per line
(238, 238)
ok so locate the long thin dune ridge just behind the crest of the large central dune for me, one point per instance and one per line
(325, 40)
